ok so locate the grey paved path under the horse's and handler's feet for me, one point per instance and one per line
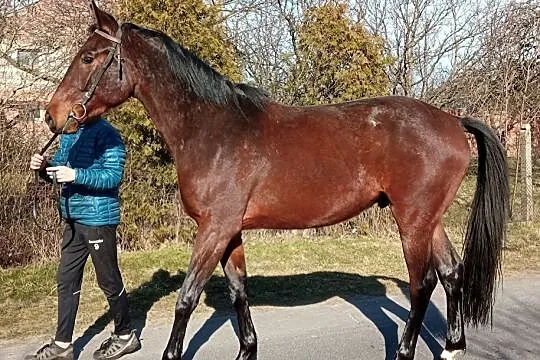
(355, 328)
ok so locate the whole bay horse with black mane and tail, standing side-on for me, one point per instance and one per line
(244, 161)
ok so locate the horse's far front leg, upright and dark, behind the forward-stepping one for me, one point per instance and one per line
(234, 267)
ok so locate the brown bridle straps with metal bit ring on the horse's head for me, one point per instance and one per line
(114, 52)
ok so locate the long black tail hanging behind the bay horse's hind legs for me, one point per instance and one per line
(486, 228)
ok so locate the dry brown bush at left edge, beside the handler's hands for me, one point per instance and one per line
(21, 241)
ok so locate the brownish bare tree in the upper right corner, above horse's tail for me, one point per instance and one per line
(501, 83)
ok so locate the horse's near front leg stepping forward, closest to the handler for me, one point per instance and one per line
(210, 244)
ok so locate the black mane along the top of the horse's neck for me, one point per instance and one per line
(206, 83)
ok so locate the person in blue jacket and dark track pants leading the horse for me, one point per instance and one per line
(89, 164)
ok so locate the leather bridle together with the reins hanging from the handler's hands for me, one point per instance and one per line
(114, 52)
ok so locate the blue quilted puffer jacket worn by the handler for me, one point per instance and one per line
(98, 155)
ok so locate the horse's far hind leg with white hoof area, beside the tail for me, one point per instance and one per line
(450, 271)
